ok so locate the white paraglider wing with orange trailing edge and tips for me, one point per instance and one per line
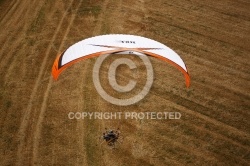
(117, 44)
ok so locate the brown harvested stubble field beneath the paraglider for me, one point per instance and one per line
(213, 39)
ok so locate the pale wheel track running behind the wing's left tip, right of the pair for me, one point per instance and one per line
(37, 133)
